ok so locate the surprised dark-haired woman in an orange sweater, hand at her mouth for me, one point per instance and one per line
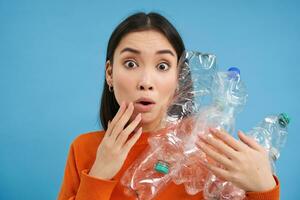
(141, 77)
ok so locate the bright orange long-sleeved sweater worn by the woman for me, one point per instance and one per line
(77, 184)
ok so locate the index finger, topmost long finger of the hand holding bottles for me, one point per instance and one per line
(228, 139)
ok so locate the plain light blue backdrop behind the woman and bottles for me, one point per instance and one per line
(52, 56)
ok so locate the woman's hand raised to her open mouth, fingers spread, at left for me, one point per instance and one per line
(114, 148)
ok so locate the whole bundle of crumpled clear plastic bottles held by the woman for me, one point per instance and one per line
(204, 99)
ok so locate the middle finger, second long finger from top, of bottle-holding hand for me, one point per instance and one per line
(220, 145)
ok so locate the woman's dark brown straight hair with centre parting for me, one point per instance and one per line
(136, 22)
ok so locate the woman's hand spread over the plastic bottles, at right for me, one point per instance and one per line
(244, 163)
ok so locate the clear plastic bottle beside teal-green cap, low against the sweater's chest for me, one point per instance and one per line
(153, 169)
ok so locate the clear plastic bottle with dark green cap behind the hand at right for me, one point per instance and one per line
(271, 133)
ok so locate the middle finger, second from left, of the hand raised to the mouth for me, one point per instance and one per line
(122, 122)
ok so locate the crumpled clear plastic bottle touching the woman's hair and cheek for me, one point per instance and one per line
(196, 75)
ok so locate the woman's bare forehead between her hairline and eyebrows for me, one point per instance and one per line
(148, 41)
